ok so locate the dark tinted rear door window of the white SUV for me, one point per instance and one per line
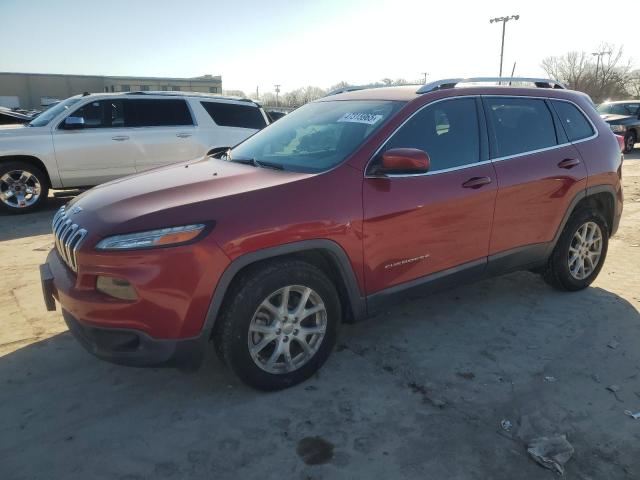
(156, 113)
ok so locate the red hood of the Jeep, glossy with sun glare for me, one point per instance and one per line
(170, 195)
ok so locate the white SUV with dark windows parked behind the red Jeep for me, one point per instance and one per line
(94, 138)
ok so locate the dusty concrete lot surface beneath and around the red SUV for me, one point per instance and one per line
(418, 392)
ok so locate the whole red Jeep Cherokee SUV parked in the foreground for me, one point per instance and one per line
(345, 204)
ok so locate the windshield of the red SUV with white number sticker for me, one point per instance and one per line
(317, 136)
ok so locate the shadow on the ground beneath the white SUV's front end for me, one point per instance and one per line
(15, 226)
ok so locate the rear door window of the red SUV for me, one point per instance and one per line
(520, 125)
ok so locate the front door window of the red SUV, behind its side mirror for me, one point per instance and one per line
(447, 131)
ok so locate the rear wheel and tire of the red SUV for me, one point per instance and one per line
(580, 252)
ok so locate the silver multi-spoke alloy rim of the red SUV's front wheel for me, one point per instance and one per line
(287, 329)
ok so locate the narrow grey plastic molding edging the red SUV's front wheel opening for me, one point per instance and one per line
(338, 255)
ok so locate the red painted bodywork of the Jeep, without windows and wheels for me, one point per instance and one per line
(393, 231)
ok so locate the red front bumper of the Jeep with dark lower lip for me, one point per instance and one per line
(164, 326)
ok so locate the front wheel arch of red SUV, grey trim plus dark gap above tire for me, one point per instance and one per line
(323, 253)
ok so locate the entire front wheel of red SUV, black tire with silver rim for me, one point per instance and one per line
(279, 325)
